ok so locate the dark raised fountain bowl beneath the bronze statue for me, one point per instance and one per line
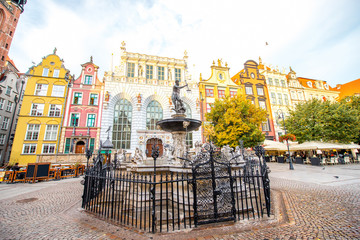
(177, 124)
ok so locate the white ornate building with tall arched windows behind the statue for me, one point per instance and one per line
(138, 94)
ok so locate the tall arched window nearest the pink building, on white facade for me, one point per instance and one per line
(122, 124)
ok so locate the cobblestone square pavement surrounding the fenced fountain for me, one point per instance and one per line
(315, 206)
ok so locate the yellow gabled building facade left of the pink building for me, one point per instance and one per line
(41, 114)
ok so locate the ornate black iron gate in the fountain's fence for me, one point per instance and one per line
(214, 199)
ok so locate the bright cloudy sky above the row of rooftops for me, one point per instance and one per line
(318, 39)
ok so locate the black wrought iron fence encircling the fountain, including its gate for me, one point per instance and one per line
(212, 190)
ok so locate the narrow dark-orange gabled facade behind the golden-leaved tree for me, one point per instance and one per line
(256, 91)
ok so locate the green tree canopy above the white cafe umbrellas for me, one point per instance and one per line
(316, 120)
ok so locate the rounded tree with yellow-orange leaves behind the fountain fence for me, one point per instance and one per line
(233, 119)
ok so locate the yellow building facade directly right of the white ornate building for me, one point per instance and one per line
(217, 86)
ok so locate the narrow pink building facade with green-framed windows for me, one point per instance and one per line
(82, 120)
